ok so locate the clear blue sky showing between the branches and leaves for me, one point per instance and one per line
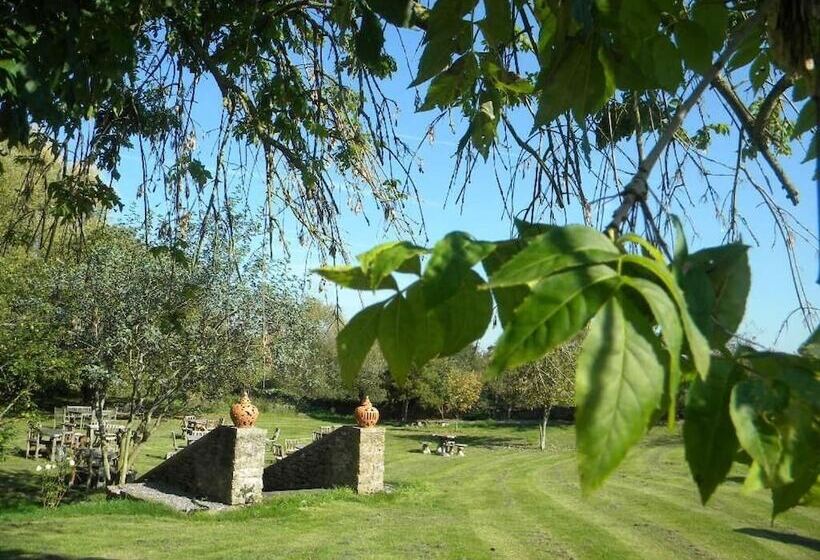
(772, 296)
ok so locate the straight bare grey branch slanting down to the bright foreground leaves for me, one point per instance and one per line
(638, 188)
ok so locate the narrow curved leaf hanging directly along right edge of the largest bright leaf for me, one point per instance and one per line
(667, 317)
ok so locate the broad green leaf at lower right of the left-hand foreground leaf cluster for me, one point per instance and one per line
(464, 317)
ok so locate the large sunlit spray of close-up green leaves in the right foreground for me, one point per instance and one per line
(551, 282)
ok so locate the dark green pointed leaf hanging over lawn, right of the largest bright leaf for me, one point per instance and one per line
(708, 433)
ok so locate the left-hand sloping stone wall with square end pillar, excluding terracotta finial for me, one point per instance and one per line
(224, 465)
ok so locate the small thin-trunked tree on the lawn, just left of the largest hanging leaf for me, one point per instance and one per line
(544, 383)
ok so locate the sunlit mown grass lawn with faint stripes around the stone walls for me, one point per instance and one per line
(505, 499)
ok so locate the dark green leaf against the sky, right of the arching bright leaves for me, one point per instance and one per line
(727, 268)
